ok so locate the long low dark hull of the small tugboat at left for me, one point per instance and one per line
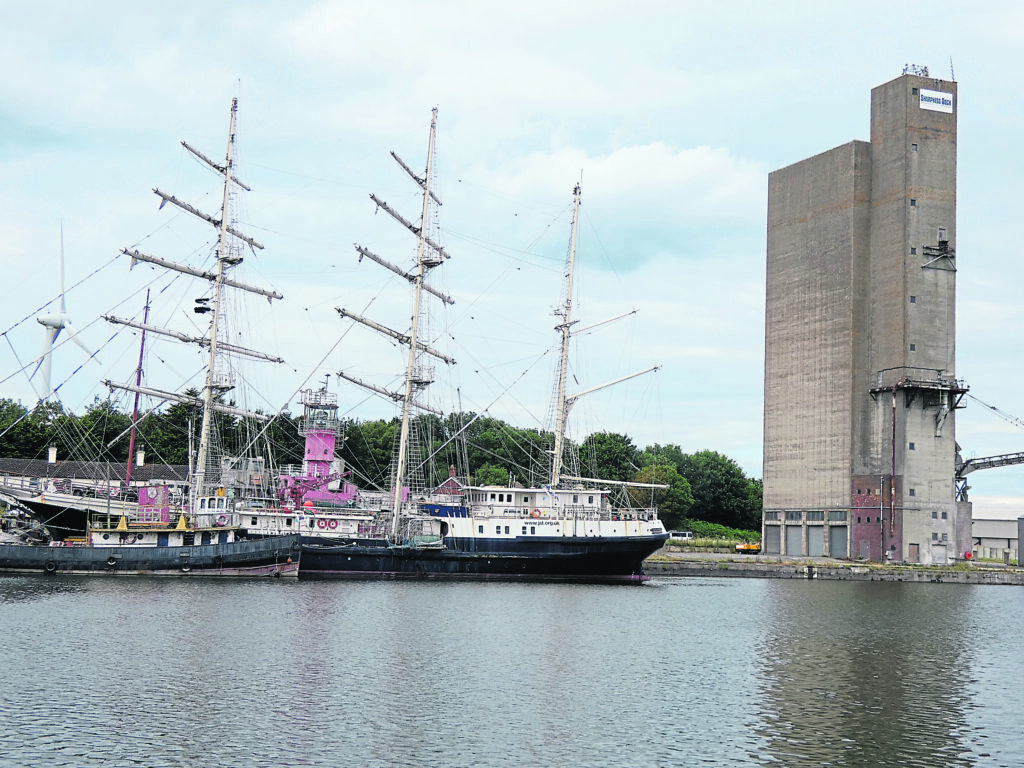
(273, 557)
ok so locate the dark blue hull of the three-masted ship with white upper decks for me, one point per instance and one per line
(536, 559)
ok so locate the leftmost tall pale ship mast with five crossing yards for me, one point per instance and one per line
(228, 255)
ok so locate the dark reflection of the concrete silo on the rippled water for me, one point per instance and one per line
(867, 674)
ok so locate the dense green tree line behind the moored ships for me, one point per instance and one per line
(705, 486)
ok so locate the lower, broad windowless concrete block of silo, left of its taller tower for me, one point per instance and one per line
(817, 214)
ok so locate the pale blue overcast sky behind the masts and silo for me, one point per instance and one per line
(672, 113)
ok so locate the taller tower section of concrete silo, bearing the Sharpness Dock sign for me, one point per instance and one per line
(912, 315)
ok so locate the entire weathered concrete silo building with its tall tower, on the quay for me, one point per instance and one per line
(858, 301)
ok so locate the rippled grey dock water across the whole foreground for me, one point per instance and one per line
(685, 672)
